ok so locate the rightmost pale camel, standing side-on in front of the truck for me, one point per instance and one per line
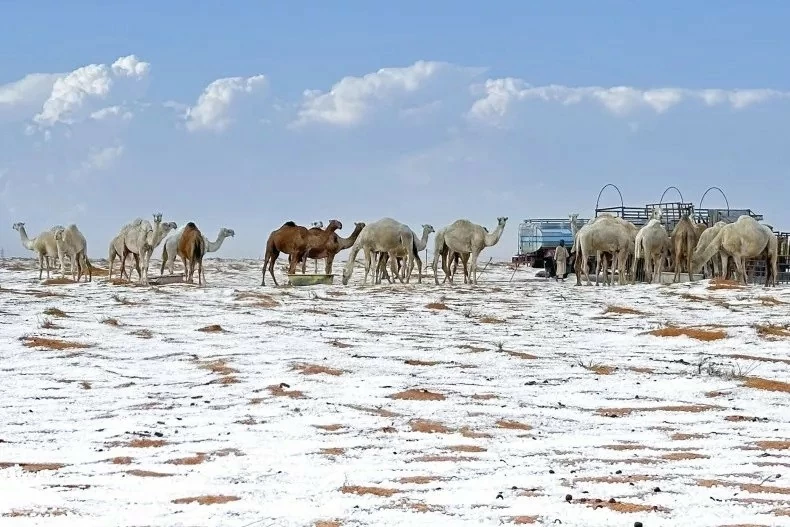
(742, 240)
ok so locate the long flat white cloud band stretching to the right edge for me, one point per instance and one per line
(498, 95)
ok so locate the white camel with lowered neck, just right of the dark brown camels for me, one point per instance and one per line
(383, 236)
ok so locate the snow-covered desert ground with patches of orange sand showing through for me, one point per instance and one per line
(513, 402)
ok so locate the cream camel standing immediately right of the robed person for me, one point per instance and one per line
(604, 234)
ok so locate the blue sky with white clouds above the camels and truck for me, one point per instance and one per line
(425, 112)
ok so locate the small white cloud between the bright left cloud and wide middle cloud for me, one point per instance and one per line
(211, 110)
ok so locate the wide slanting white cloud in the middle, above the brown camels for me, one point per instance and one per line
(349, 100)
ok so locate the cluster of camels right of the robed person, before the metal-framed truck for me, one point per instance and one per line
(691, 246)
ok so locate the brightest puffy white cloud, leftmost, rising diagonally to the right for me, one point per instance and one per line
(94, 81)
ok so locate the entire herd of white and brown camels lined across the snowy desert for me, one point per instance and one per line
(690, 246)
